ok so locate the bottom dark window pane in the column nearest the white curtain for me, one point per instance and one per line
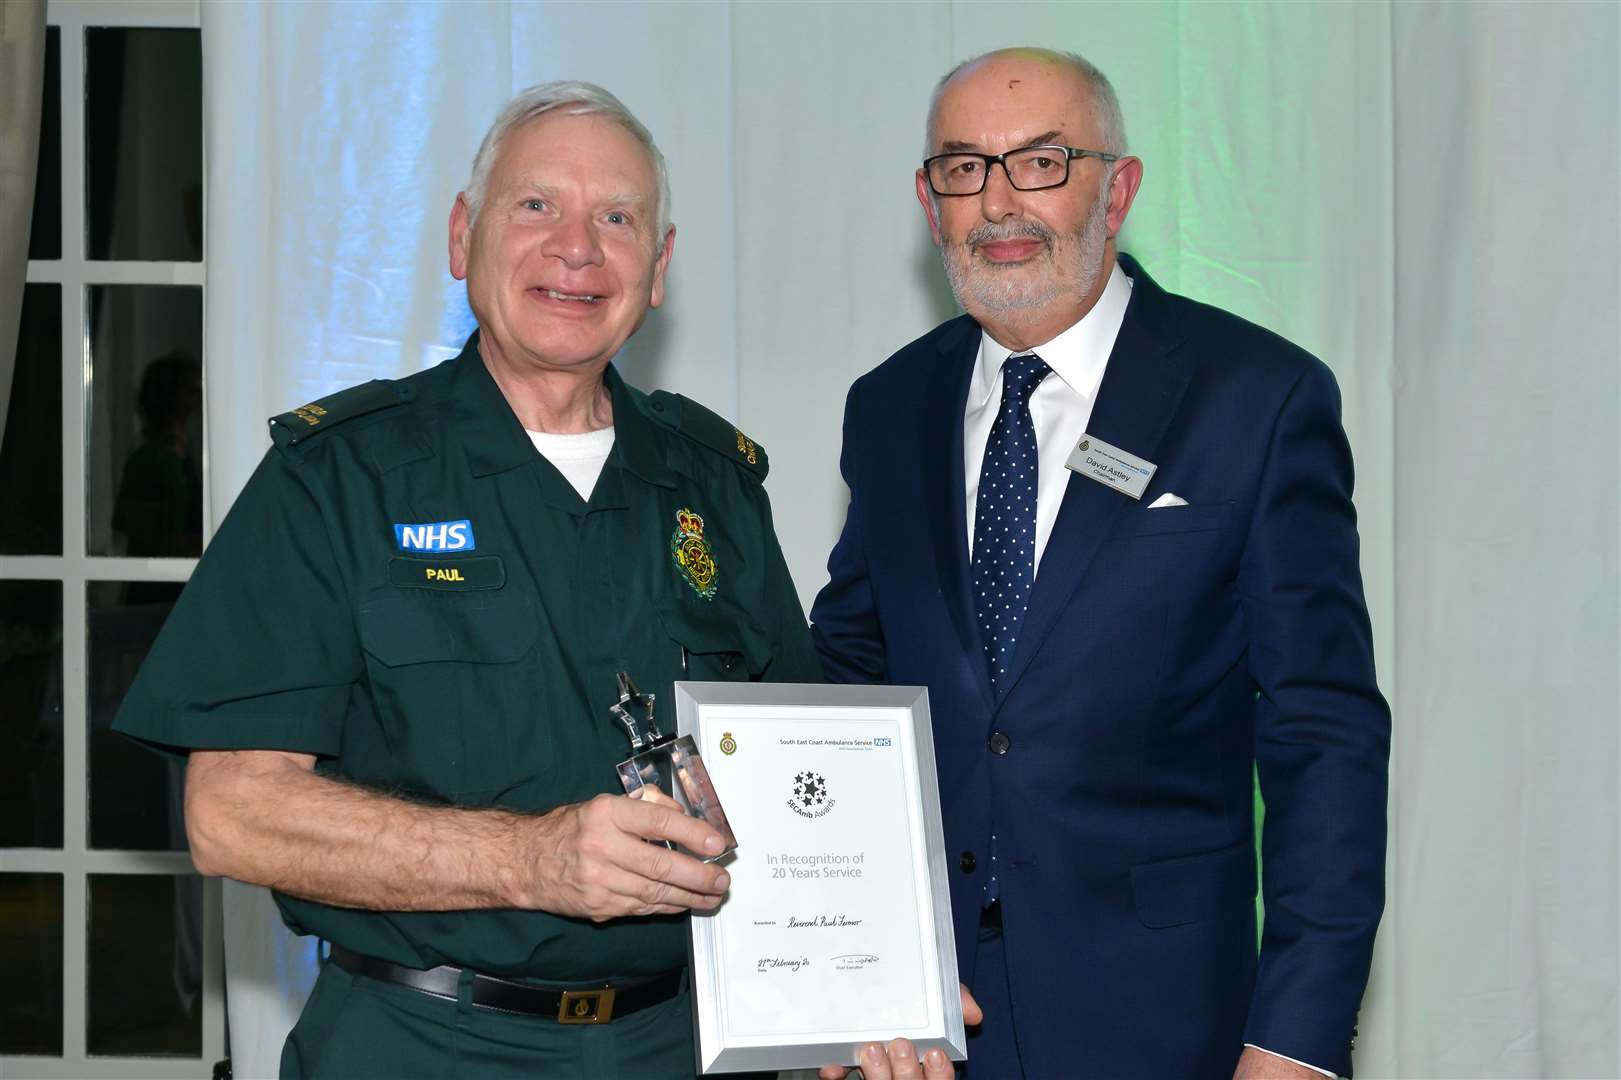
(145, 972)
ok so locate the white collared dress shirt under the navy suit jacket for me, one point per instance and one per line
(1061, 406)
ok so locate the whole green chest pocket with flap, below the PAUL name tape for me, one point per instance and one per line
(453, 696)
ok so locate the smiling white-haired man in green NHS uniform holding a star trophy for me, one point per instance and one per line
(395, 666)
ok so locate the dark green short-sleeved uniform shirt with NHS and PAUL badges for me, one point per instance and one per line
(411, 593)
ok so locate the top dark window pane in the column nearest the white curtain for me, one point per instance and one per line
(143, 144)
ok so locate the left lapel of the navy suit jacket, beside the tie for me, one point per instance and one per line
(943, 435)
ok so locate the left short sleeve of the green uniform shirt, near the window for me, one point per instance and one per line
(260, 651)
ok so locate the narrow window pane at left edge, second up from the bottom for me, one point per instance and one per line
(32, 719)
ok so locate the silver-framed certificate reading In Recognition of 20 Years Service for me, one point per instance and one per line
(837, 928)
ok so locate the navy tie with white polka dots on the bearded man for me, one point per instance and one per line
(1006, 516)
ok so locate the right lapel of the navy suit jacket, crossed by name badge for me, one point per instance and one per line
(1140, 393)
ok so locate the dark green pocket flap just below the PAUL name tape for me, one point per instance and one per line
(424, 627)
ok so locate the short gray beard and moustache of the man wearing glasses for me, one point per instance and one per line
(1074, 264)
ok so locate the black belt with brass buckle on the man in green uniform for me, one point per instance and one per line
(588, 1005)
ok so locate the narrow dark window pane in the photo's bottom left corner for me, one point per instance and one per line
(32, 959)
